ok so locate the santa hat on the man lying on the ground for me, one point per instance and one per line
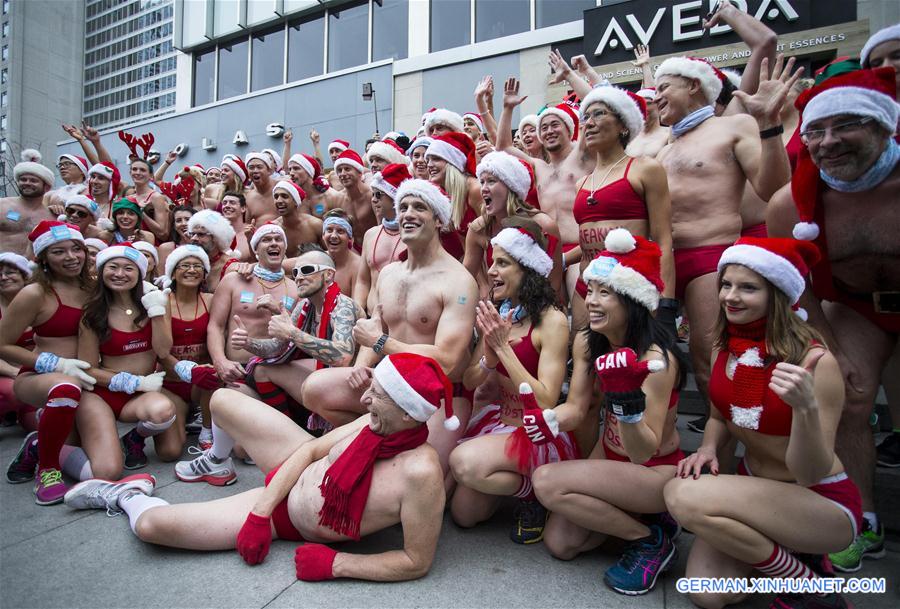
(417, 384)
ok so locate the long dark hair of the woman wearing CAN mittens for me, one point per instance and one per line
(642, 332)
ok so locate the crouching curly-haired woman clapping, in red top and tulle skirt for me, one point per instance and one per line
(525, 342)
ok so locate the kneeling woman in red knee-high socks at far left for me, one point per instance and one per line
(50, 376)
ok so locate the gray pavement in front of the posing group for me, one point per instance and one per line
(57, 557)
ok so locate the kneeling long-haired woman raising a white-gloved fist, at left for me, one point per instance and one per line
(123, 333)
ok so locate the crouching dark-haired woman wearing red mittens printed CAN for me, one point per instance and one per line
(638, 449)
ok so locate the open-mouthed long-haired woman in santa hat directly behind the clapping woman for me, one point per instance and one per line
(505, 182)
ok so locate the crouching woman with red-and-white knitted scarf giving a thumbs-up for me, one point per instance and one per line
(777, 390)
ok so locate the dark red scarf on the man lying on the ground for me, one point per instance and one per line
(345, 486)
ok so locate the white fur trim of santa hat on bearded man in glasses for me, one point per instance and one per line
(857, 101)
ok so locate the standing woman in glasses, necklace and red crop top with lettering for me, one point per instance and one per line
(621, 191)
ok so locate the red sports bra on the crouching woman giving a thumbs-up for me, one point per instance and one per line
(772, 418)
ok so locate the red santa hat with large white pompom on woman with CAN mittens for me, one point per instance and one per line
(630, 265)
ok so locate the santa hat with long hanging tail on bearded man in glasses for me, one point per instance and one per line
(866, 93)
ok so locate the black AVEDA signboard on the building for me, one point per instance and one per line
(671, 26)
